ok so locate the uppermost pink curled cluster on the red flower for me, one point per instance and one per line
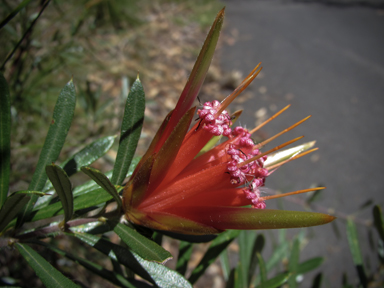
(217, 125)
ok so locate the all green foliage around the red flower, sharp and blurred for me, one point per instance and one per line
(88, 218)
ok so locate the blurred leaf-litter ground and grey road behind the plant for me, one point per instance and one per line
(323, 57)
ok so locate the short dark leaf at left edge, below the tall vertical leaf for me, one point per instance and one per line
(13, 204)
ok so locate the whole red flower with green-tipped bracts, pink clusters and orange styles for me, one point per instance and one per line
(184, 184)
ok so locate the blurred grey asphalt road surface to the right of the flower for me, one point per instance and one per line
(327, 61)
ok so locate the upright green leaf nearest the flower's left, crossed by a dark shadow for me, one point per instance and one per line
(130, 132)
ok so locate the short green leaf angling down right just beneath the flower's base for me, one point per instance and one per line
(144, 247)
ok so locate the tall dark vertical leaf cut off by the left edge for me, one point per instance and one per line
(5, 138)
